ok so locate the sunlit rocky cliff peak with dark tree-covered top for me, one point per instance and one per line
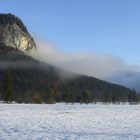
(14, 34)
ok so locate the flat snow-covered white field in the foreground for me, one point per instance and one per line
(69, 122)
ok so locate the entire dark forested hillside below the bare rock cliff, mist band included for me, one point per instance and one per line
(30, 80)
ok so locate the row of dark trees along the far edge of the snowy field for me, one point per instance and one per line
(34, 97)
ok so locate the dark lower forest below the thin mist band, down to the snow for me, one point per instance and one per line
(32, 86)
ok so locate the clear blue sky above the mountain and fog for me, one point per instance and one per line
(101, 26)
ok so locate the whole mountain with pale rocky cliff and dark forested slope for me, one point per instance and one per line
(24, 79)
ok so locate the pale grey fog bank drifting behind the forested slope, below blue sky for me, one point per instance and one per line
(102, 66)
